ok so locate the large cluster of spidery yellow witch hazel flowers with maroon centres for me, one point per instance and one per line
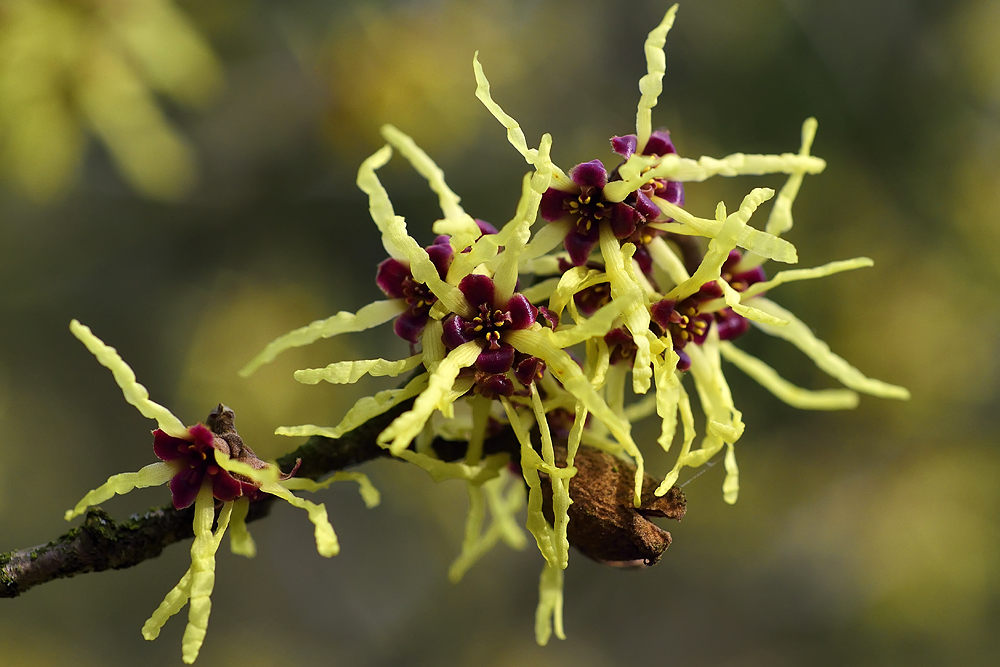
(544, 328)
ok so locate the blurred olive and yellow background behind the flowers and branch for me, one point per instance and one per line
(181, 178)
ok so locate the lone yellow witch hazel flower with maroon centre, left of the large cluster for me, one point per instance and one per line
(210, 467)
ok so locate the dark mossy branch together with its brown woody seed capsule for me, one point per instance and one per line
(605, 525)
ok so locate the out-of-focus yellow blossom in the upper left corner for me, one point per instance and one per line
(69, 68)
